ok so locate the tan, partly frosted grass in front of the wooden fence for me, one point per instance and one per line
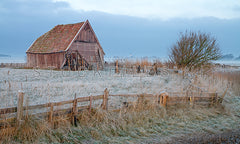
(143, 122)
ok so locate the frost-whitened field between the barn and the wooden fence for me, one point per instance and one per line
(42, 86)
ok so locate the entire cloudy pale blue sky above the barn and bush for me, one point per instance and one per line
(124, 27)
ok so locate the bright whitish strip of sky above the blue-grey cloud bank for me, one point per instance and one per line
(163, 9)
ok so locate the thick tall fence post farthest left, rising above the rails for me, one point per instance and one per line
(20, 107)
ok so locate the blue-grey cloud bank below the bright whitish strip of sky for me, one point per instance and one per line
(119, 35)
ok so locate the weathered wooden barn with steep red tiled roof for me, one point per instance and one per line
(72, 46)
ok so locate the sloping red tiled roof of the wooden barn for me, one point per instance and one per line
(55, 40)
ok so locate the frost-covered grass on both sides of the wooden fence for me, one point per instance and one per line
(144, 124)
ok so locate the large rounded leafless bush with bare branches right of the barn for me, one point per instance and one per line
(193, 50)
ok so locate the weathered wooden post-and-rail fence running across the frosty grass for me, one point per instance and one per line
(164, 99)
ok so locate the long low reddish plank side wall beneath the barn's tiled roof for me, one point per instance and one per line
(45, 60)
